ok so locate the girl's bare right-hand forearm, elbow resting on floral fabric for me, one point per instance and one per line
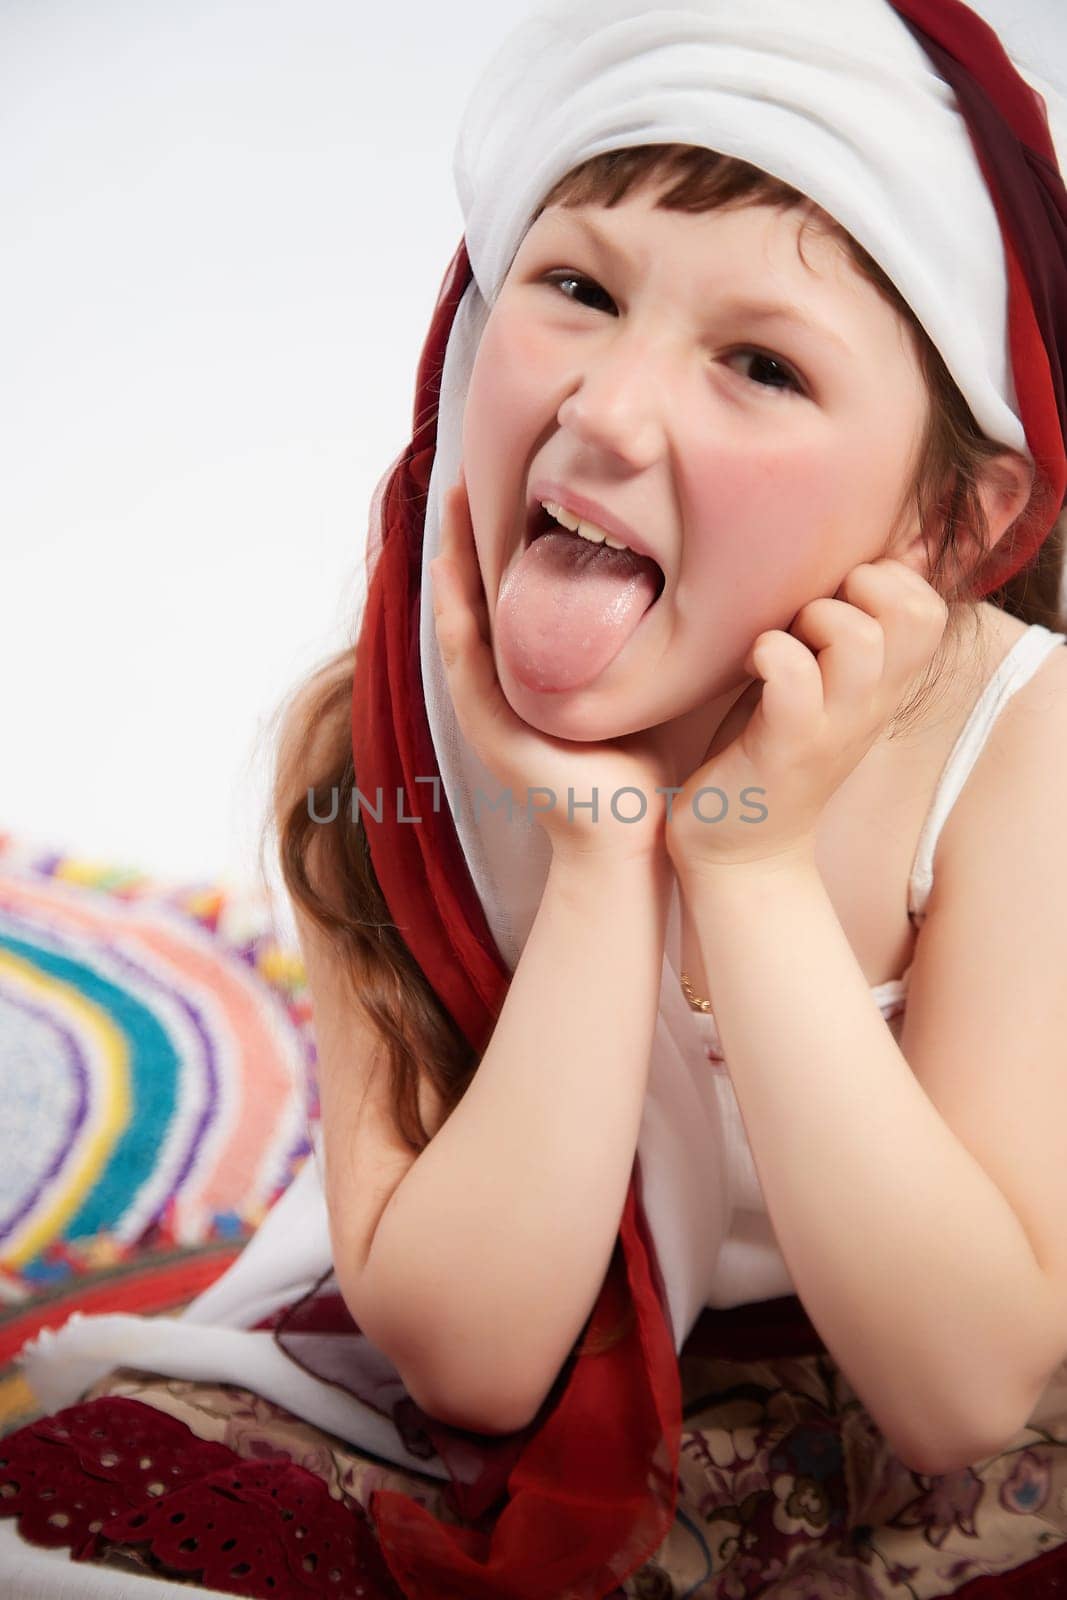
(906, 1255)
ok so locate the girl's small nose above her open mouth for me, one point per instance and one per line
(615, 404)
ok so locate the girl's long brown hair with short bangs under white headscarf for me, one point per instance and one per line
(327, 866)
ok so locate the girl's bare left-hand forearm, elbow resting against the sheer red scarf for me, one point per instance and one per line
(494, 1249)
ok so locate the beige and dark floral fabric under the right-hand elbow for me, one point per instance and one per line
(789, 1490)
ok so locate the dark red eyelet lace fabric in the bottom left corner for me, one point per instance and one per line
(116, 1473)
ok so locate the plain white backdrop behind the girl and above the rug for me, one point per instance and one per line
(223, 234)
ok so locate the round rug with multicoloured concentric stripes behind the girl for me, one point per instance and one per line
(158, 1089)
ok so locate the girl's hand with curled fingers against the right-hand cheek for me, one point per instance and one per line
(825, 694)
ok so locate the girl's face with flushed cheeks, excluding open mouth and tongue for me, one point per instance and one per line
(633, 358)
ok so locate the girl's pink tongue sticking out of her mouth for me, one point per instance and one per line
(569, 609)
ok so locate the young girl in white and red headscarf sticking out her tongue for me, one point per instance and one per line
(685, 943)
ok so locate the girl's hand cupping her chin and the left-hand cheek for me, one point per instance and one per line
(522, 758)
